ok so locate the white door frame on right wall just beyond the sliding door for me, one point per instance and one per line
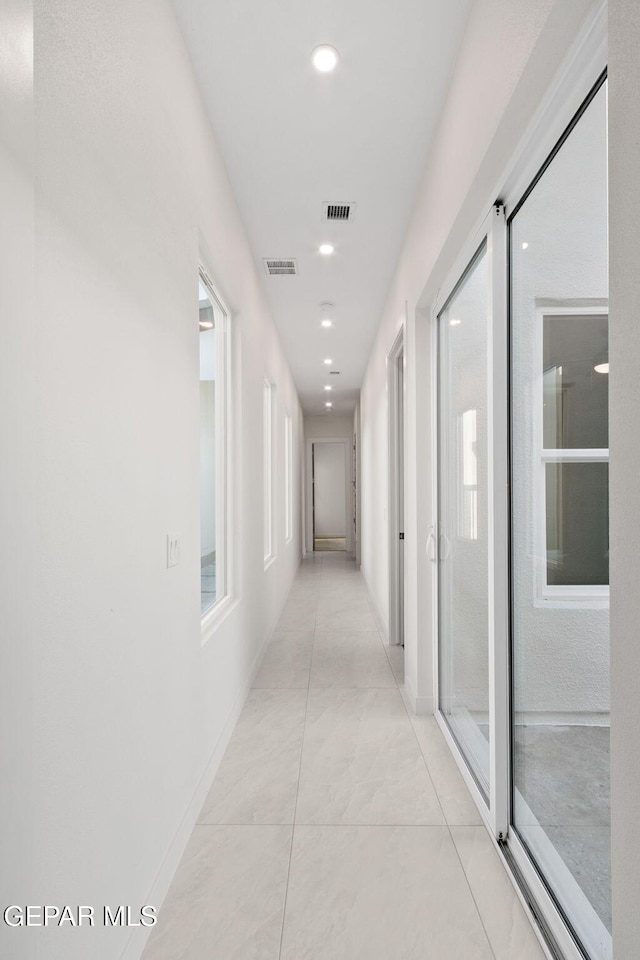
(396, 422)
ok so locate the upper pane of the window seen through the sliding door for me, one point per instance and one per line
(576, 388)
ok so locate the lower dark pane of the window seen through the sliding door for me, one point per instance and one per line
(577, 500)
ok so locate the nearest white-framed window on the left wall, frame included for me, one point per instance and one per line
(213, 323)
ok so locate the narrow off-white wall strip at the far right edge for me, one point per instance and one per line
(624, 218)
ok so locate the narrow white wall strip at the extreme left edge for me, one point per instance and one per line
(19, 430)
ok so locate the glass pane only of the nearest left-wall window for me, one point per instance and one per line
(207, 451)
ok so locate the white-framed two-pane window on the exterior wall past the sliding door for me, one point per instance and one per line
(573, 452)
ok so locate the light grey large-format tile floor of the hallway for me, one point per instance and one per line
(338, 826)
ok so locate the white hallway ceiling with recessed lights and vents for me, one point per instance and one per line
(292, 139)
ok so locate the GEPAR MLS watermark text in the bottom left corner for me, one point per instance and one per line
(79, 916)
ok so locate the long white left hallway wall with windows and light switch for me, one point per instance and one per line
(127, 710)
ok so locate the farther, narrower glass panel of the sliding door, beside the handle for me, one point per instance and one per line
(463, 546)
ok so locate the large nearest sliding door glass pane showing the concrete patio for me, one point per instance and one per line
(560, 647)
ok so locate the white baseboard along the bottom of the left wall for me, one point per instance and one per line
(136, 943)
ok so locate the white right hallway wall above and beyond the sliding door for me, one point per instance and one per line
(510, 52)
